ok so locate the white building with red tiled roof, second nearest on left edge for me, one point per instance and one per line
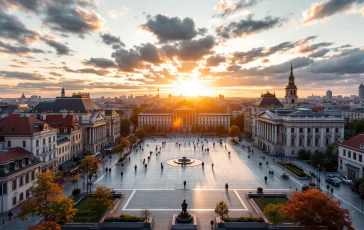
(34, 135)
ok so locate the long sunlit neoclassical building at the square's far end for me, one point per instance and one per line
(184, 119)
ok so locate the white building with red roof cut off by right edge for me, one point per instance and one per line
(351, 154)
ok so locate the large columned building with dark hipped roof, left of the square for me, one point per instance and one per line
(91, 118)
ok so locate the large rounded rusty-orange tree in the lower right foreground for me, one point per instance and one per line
(314, 209)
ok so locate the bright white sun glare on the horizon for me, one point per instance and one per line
(193, 88)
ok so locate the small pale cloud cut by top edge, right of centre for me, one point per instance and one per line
(229, 7)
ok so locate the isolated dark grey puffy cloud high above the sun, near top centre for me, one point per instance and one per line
(170, 29)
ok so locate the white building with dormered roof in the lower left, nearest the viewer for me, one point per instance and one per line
(17, 174)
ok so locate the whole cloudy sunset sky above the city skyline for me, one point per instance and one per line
(204, 47)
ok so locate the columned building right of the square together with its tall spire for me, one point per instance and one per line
(279, 130)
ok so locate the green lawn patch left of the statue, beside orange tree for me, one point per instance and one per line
(84, 214)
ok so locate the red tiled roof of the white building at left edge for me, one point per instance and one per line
(17, 125)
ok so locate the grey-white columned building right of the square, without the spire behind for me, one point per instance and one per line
(286, 131)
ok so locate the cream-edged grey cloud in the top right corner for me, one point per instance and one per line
(326, 9)
